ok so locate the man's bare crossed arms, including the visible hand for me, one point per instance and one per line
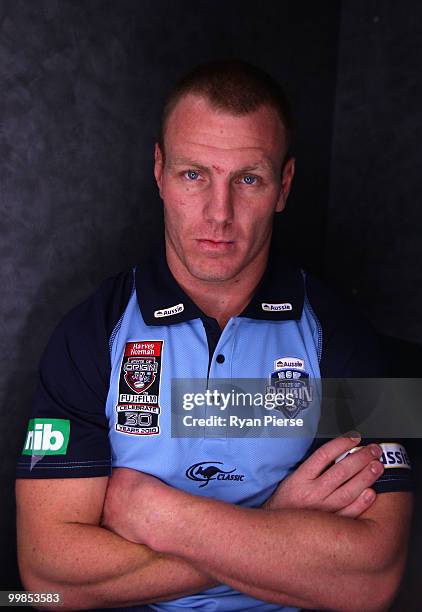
(316, 543)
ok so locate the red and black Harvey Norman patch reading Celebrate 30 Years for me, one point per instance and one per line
(138, 407)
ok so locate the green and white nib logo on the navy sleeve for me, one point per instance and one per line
(47, 437)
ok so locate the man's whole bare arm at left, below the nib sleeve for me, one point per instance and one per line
(62, 548)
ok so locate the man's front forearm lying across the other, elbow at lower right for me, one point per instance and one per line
(287, 554)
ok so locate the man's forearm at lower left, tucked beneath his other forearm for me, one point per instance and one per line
(93, 567)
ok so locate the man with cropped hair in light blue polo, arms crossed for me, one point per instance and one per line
(167, 531)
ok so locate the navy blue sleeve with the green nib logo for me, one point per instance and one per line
(68, 431)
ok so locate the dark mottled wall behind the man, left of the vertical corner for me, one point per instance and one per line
(81, 85)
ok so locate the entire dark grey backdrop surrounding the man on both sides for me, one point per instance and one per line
(81, 86)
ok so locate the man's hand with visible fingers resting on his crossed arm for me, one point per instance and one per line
(341, 489)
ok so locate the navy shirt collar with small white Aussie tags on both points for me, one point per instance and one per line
(278, 297)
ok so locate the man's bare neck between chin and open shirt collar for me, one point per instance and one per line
(219, 300)
